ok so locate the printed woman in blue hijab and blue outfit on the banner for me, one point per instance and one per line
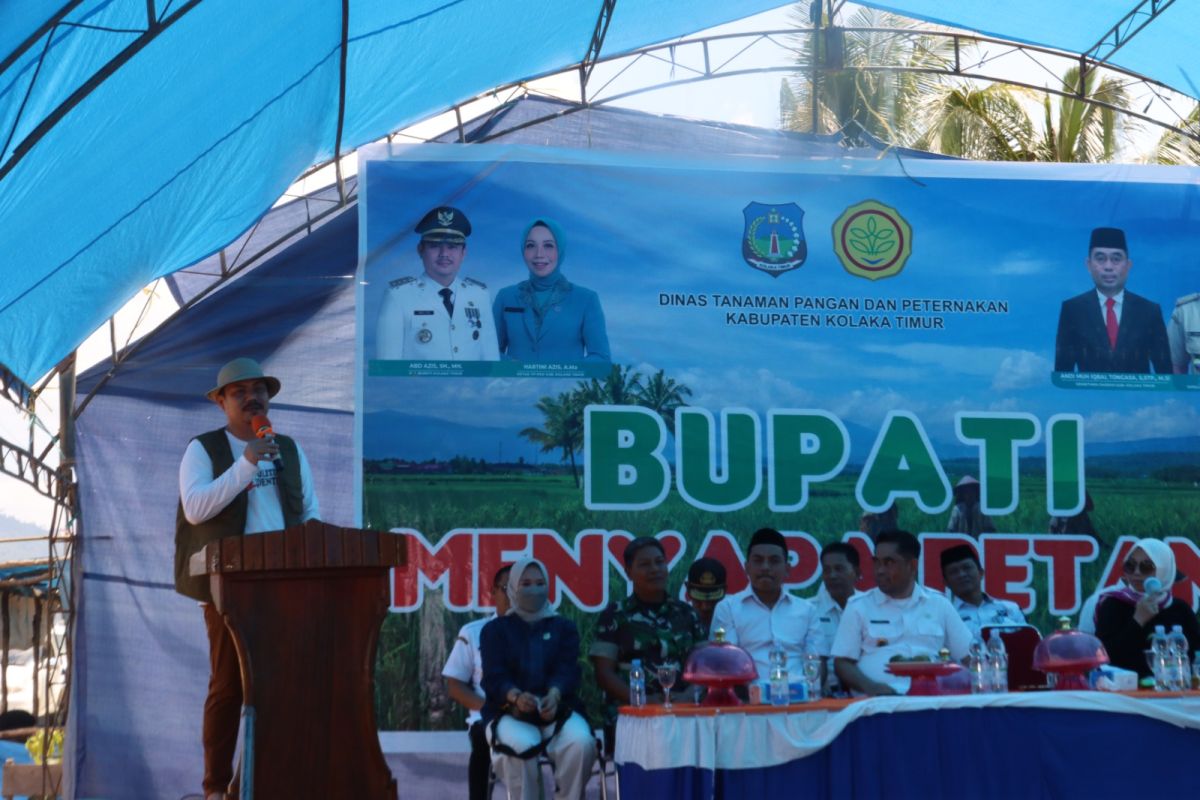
(547, 317)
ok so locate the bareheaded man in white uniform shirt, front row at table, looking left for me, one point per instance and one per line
(898, 618)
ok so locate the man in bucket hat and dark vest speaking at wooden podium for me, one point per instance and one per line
(241, 479)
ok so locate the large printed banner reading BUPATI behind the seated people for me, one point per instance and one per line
(694, 350)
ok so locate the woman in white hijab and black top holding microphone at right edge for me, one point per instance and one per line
(1126, 616)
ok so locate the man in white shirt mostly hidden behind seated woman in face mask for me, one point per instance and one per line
(465, 673)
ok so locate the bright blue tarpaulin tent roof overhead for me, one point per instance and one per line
(139, 137)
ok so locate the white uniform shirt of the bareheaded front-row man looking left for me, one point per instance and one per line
(875, 628)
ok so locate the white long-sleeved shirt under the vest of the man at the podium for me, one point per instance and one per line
(205, 496)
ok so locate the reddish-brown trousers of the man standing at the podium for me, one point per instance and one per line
(223, 708)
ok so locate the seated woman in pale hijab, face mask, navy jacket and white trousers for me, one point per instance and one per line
(531, 675)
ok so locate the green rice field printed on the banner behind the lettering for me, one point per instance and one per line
(413, 646)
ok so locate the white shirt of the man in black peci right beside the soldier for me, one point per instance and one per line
(749, 624)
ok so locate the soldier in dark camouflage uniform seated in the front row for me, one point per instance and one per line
(647, 625)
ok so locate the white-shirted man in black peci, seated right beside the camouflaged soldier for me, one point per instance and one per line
(765, 615)
